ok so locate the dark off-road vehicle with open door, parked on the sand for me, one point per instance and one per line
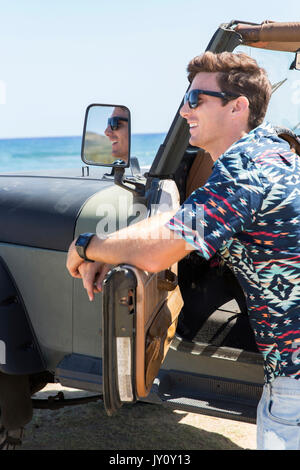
(123, 346)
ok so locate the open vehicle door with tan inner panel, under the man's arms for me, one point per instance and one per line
(139, 318)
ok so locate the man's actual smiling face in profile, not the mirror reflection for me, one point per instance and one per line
(208, 121)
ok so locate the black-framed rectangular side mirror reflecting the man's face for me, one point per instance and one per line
(106, 136)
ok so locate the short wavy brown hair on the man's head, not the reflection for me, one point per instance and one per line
(237, 73)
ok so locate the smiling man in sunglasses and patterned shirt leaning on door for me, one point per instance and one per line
(251, 208)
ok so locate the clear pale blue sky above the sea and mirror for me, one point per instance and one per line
(59, 56)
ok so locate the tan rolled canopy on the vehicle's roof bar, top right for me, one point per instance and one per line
(271, 35)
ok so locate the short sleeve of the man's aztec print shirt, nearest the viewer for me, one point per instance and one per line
(225, 206)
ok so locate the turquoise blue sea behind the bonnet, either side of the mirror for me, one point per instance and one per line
(52, 153)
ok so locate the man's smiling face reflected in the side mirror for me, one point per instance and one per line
(119, 137)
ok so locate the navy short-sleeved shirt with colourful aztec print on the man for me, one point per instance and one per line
(249, 211)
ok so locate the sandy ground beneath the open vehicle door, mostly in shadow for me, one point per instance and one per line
(139, 427)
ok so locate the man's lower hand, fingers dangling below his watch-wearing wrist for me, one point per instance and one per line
(92, 275)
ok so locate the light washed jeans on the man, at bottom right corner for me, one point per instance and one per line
(278, 415)
